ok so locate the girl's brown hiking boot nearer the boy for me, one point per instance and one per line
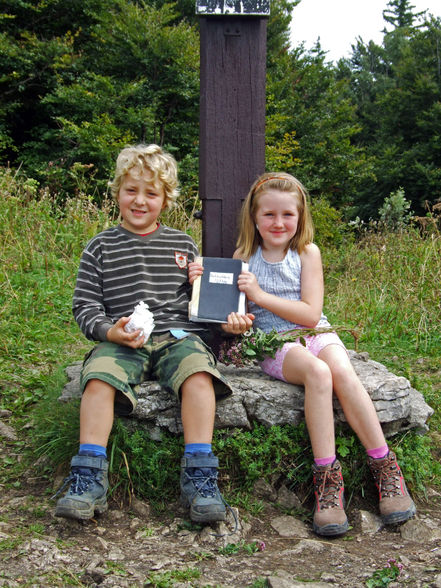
(329, 515)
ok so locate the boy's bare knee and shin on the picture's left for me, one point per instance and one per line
(96, 413)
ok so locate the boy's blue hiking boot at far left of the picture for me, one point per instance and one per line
(88, 488)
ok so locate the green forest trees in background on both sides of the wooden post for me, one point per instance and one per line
(78, 82)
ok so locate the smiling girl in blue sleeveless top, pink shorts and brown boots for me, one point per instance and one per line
(284, 287)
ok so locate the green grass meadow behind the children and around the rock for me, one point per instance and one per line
(386, 285)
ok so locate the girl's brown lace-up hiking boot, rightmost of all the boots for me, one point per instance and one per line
(396, 506)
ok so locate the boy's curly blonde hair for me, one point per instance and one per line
(153, 159)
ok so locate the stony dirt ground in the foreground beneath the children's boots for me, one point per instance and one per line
(130, 546)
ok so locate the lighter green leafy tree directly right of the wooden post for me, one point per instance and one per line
(310, 125)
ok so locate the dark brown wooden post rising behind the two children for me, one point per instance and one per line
(232, 114)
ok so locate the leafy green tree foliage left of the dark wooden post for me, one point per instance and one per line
(93, 79)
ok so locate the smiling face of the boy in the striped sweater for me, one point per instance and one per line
(140, 202)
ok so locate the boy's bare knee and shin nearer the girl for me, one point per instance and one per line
(198, 406)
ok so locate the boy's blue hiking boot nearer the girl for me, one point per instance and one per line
(199, 489)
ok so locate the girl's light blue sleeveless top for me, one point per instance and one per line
(281, 278)
